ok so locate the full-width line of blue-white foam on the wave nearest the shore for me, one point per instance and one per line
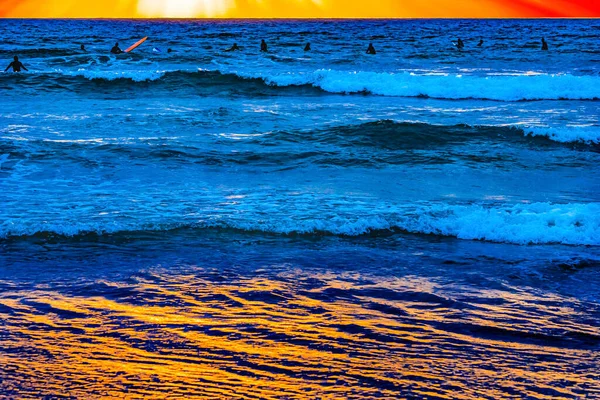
(536, 223)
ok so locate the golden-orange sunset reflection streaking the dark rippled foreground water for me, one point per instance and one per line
(293, 335)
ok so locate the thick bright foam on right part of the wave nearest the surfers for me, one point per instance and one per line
(447, 86)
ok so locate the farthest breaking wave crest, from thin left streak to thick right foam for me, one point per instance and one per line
(400, 84)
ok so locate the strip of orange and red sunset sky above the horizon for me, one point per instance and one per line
(298, 8)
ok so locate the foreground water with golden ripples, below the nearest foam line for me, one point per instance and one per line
(227, 316)
